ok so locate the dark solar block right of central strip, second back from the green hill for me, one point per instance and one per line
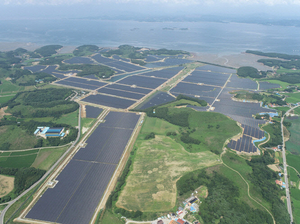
(210, 78)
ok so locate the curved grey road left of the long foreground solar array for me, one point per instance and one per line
(9, 204)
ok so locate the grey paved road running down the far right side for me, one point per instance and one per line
(288, 198)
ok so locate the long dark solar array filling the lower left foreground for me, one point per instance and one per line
(83, 181)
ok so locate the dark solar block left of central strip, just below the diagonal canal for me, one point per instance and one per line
(142, 81)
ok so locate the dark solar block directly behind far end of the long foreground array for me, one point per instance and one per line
(109, 101)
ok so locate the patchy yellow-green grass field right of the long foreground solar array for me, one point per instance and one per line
(159, 163)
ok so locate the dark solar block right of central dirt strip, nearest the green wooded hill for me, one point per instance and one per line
(193, 89)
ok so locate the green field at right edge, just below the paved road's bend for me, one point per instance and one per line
(293, 144)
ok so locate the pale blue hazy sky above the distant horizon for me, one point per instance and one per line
(19, 9)
